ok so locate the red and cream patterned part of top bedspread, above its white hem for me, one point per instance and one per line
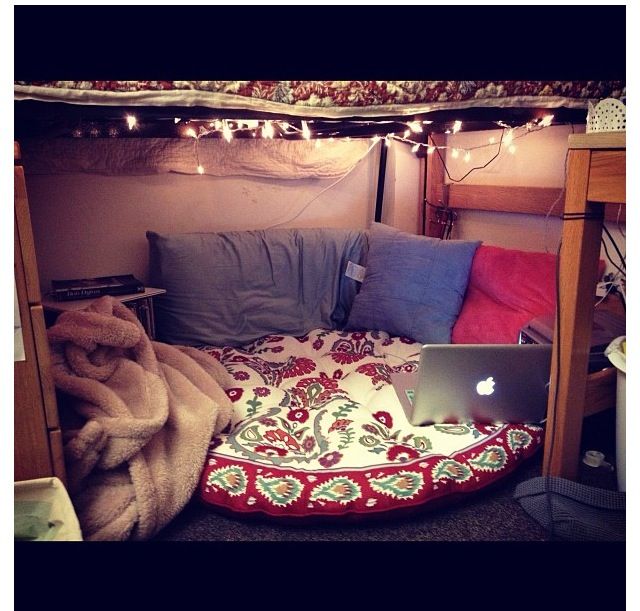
(348, 94)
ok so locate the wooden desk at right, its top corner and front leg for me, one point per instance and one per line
(596, 177)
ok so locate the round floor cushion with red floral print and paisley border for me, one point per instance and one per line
(319, 430)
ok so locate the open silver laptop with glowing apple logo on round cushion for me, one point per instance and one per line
(478, 382)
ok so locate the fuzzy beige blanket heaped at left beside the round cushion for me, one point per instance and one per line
(142, 416)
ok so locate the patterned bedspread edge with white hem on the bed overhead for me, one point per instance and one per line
(328, 98)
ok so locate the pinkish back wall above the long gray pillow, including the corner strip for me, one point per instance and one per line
(89, 225)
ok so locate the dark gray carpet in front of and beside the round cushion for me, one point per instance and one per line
(489, 515)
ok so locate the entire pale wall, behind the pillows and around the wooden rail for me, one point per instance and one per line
(90, 225)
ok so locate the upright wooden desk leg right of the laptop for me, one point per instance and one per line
(578, 277)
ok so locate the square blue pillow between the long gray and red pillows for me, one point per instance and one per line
(413, 286)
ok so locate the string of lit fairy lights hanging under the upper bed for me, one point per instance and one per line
(269, 129)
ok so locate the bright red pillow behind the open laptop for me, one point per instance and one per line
(507, 288)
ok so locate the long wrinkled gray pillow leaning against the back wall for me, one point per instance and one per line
(233, 287)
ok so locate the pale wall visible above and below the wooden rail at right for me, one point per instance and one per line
(538, 161)
